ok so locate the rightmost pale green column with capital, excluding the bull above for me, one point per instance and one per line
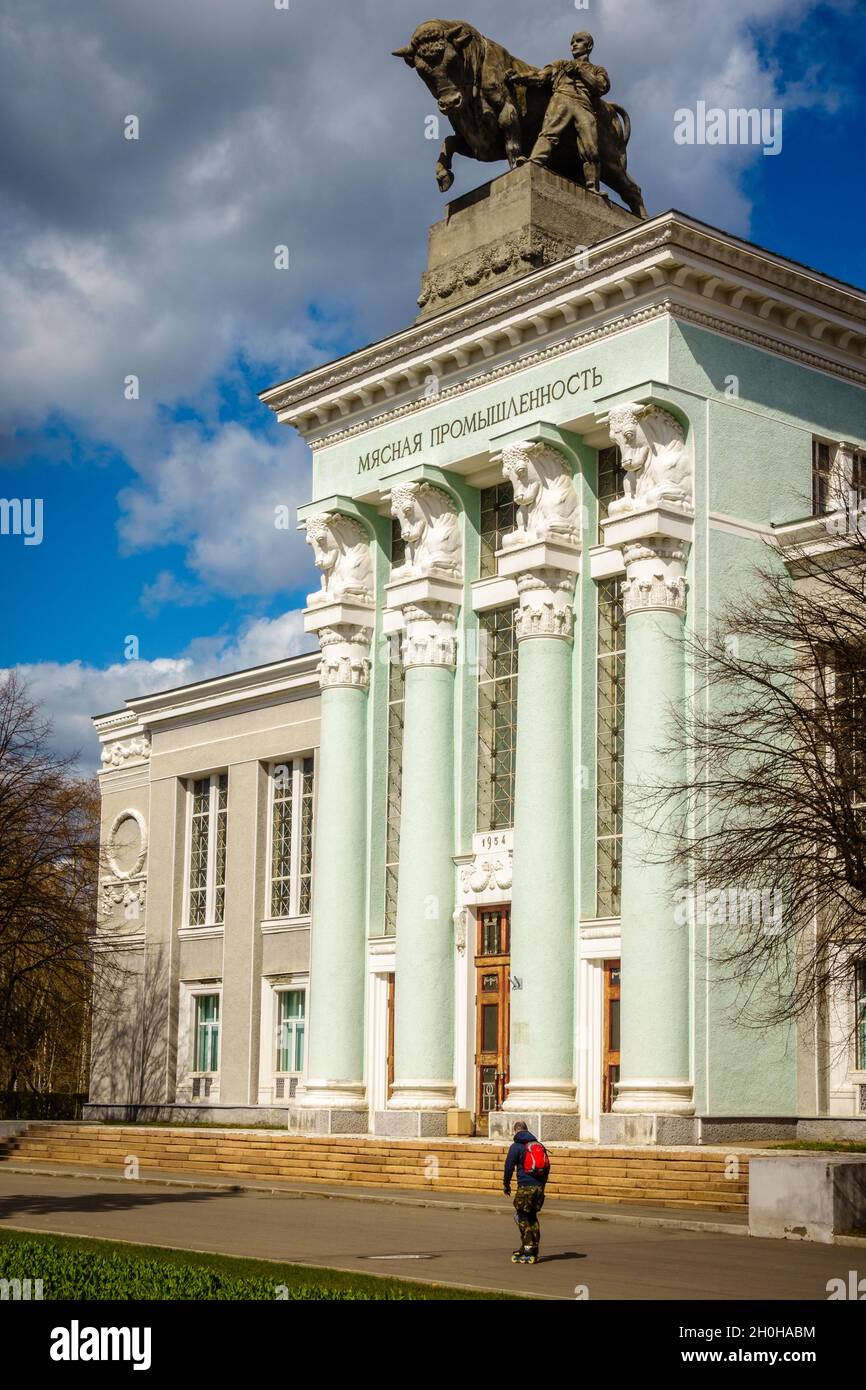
(655, 1075)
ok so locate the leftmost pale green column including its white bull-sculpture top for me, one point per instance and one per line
(333, 1099)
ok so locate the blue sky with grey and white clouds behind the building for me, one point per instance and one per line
(156, 258)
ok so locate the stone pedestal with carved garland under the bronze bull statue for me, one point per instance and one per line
(507, 229)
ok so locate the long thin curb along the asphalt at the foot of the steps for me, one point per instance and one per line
(394, 1200)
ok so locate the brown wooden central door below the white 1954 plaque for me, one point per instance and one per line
(493, 1000)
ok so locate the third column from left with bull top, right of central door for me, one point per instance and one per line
(543, 555)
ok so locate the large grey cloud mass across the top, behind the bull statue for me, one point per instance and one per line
(262, 127)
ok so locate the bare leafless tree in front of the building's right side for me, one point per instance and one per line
(769, 824)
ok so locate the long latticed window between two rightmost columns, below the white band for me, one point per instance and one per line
(611, 687)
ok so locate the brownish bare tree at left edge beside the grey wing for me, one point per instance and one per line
(49, 874)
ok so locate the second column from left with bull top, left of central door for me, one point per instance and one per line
(425, 597)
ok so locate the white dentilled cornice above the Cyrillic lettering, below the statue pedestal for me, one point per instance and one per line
(671, 265)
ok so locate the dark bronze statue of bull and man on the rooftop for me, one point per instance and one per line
(504, 109)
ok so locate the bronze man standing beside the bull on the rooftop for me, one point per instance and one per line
(578, 88)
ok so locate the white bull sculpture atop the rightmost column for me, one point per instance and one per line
(655, 458)
